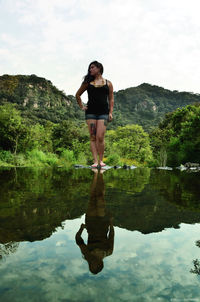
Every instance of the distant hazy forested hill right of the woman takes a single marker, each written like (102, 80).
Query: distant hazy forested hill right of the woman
(147, 104)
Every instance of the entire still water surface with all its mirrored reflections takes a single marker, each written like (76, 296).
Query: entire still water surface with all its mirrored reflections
(119, 235)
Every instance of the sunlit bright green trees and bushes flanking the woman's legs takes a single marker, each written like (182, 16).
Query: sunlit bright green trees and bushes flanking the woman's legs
(66, 143)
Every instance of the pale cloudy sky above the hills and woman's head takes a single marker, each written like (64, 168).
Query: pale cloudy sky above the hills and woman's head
(137, 41)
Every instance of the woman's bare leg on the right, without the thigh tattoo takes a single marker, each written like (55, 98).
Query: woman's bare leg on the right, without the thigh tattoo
(100, 132)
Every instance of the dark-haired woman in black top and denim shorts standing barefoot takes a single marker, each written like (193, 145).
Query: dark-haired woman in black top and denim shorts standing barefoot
(99, 108)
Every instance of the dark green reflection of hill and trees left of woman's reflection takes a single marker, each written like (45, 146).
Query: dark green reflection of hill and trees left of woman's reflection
(34, 203)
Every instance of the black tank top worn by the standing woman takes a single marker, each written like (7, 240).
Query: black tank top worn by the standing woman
(97, 99)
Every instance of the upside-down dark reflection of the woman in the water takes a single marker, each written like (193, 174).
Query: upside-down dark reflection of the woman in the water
(99, 226)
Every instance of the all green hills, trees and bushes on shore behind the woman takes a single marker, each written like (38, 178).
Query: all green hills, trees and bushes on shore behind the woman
(41, 126)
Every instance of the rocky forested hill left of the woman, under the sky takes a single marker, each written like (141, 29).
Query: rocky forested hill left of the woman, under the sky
(38, 99)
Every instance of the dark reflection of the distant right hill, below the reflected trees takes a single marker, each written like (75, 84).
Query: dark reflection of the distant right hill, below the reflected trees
(148, 212)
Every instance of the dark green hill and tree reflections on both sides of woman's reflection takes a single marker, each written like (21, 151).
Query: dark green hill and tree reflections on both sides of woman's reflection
(35, 202)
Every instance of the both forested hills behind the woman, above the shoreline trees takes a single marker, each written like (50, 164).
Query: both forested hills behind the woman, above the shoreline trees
(39, 100)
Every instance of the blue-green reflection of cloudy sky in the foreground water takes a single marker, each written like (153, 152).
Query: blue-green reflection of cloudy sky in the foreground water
(153, 267)
